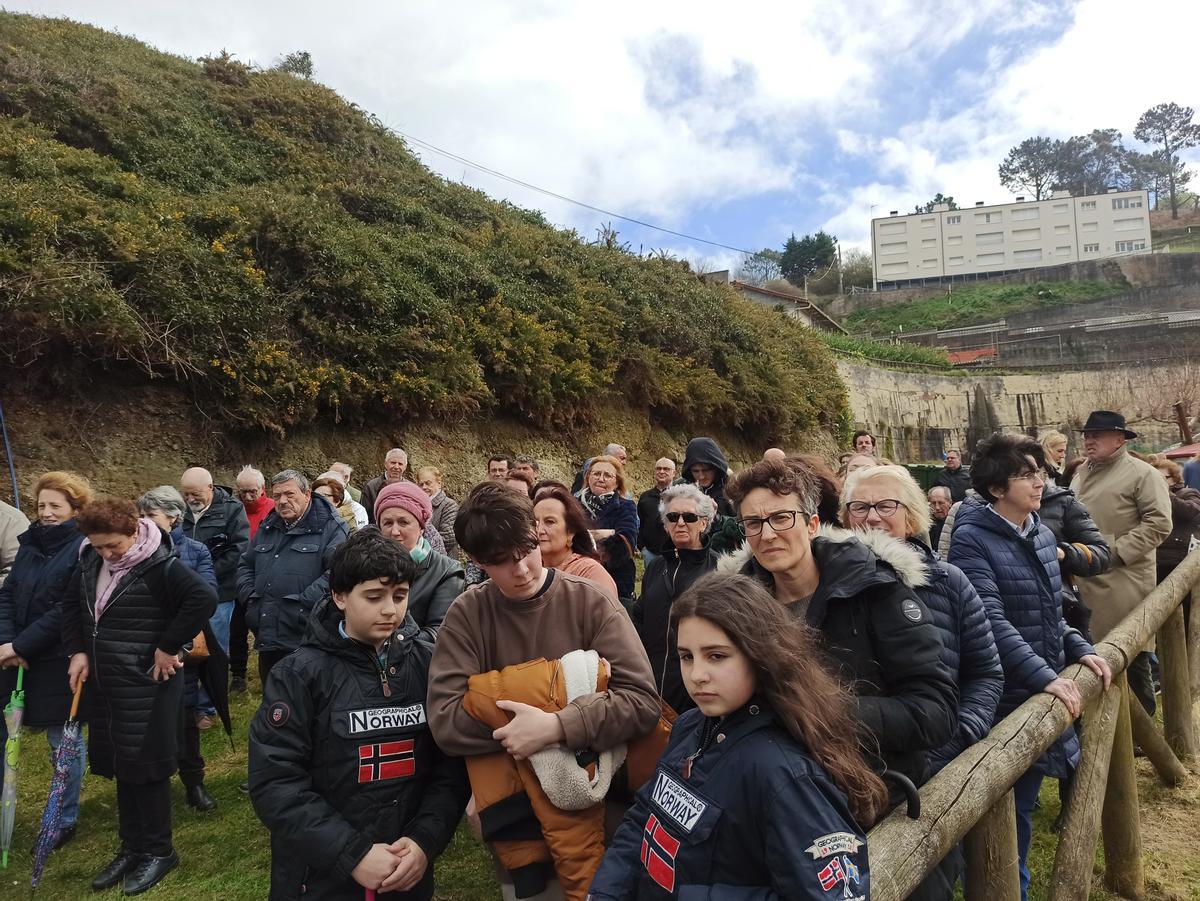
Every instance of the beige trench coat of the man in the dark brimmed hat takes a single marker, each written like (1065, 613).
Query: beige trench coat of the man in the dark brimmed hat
(1130, 502)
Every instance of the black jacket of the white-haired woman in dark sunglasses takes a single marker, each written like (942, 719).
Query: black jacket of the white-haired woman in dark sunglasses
(665, 580)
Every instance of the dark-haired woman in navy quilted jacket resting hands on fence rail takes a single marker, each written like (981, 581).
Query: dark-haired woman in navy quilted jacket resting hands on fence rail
(1012, 560)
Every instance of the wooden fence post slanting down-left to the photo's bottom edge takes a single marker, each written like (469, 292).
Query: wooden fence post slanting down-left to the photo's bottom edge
(1077, 849)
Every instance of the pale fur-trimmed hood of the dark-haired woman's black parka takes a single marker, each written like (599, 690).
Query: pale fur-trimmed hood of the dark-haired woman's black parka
(849, 562)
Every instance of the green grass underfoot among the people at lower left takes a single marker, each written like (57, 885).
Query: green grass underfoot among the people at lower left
(225, 855)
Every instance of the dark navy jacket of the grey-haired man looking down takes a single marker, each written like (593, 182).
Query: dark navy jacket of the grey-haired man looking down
(284, 574)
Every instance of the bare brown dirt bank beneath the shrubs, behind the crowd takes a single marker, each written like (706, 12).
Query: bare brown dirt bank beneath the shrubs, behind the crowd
(130, 440)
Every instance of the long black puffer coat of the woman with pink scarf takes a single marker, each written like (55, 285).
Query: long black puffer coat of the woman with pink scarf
(134, 720)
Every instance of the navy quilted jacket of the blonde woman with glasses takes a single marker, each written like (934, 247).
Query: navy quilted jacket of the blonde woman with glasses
(969, 650)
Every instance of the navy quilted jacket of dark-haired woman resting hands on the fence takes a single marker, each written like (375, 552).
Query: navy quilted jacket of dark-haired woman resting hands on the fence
(1021, 585)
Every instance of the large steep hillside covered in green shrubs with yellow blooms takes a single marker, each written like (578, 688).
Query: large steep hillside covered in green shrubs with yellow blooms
(274, 248)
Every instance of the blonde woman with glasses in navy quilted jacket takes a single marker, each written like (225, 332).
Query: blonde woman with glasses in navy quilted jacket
(886, 504)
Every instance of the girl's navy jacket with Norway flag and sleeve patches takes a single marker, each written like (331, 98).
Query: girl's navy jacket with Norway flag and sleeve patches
(757, 819)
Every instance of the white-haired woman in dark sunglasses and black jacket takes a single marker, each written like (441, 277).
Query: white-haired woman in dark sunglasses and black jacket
(687, 515)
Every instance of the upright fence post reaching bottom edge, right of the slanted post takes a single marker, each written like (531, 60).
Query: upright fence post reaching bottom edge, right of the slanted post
(1123, 832)
